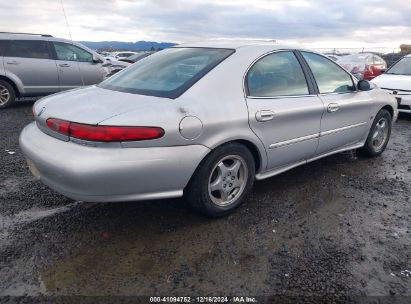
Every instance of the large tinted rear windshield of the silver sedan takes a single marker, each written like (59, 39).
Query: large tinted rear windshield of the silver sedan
(168, 73)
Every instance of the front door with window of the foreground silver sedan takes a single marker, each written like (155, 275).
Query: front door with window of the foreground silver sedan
(347, 111)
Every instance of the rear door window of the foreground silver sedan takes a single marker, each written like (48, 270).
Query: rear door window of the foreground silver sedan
(277, 74)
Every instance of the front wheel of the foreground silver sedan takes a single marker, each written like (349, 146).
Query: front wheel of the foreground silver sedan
(379, 135)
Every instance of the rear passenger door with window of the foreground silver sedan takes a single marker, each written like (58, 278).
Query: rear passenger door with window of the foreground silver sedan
(284, 111)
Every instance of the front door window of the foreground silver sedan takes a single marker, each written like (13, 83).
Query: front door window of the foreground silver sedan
(330, 77)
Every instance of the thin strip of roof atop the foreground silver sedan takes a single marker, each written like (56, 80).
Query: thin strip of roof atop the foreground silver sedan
(235, 44)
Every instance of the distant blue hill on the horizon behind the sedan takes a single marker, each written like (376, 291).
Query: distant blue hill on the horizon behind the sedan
(130, 46)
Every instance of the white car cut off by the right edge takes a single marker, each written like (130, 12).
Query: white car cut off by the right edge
(397, 81)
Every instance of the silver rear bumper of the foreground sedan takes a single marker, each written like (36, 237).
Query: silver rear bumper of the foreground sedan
(103, 174)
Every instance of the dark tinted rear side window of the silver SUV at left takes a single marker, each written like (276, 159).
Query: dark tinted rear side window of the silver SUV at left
(29, 49)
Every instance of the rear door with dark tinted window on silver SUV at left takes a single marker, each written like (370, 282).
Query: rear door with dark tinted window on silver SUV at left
(30, 64)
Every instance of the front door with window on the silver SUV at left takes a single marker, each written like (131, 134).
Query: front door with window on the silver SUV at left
(75, 66)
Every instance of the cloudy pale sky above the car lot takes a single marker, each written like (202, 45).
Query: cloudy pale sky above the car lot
(312, 23)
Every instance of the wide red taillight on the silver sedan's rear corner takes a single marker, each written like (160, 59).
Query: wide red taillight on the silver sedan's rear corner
(103, 133)
